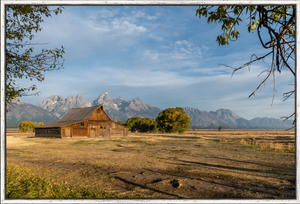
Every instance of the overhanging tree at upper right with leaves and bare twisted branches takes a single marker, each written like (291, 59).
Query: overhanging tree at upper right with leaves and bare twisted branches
(276, 22)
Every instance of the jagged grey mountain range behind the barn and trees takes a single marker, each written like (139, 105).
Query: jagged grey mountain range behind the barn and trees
(54, 107)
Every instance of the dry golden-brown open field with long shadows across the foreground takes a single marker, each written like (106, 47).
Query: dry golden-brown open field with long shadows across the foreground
(196, 164)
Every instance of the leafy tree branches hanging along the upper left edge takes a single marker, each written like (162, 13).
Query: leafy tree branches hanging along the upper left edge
(22, 61)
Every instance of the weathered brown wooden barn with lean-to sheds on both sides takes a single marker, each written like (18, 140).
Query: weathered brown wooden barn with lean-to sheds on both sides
(87, 122)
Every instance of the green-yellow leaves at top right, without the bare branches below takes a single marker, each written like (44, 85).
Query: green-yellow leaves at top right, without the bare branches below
(230, 17)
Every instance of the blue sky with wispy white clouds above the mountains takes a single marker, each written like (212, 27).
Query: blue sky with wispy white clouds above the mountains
(164, 55)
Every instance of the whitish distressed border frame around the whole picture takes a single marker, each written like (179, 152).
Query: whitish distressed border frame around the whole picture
(142, 2)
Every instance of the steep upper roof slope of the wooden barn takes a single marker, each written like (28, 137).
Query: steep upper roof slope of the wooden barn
(79, 114)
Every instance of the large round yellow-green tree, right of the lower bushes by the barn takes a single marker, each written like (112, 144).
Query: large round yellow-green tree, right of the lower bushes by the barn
(173, 120)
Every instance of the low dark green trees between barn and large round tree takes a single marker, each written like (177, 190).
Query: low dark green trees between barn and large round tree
(141, 124)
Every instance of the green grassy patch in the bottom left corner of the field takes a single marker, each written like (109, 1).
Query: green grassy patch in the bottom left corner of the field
(23, 184)
